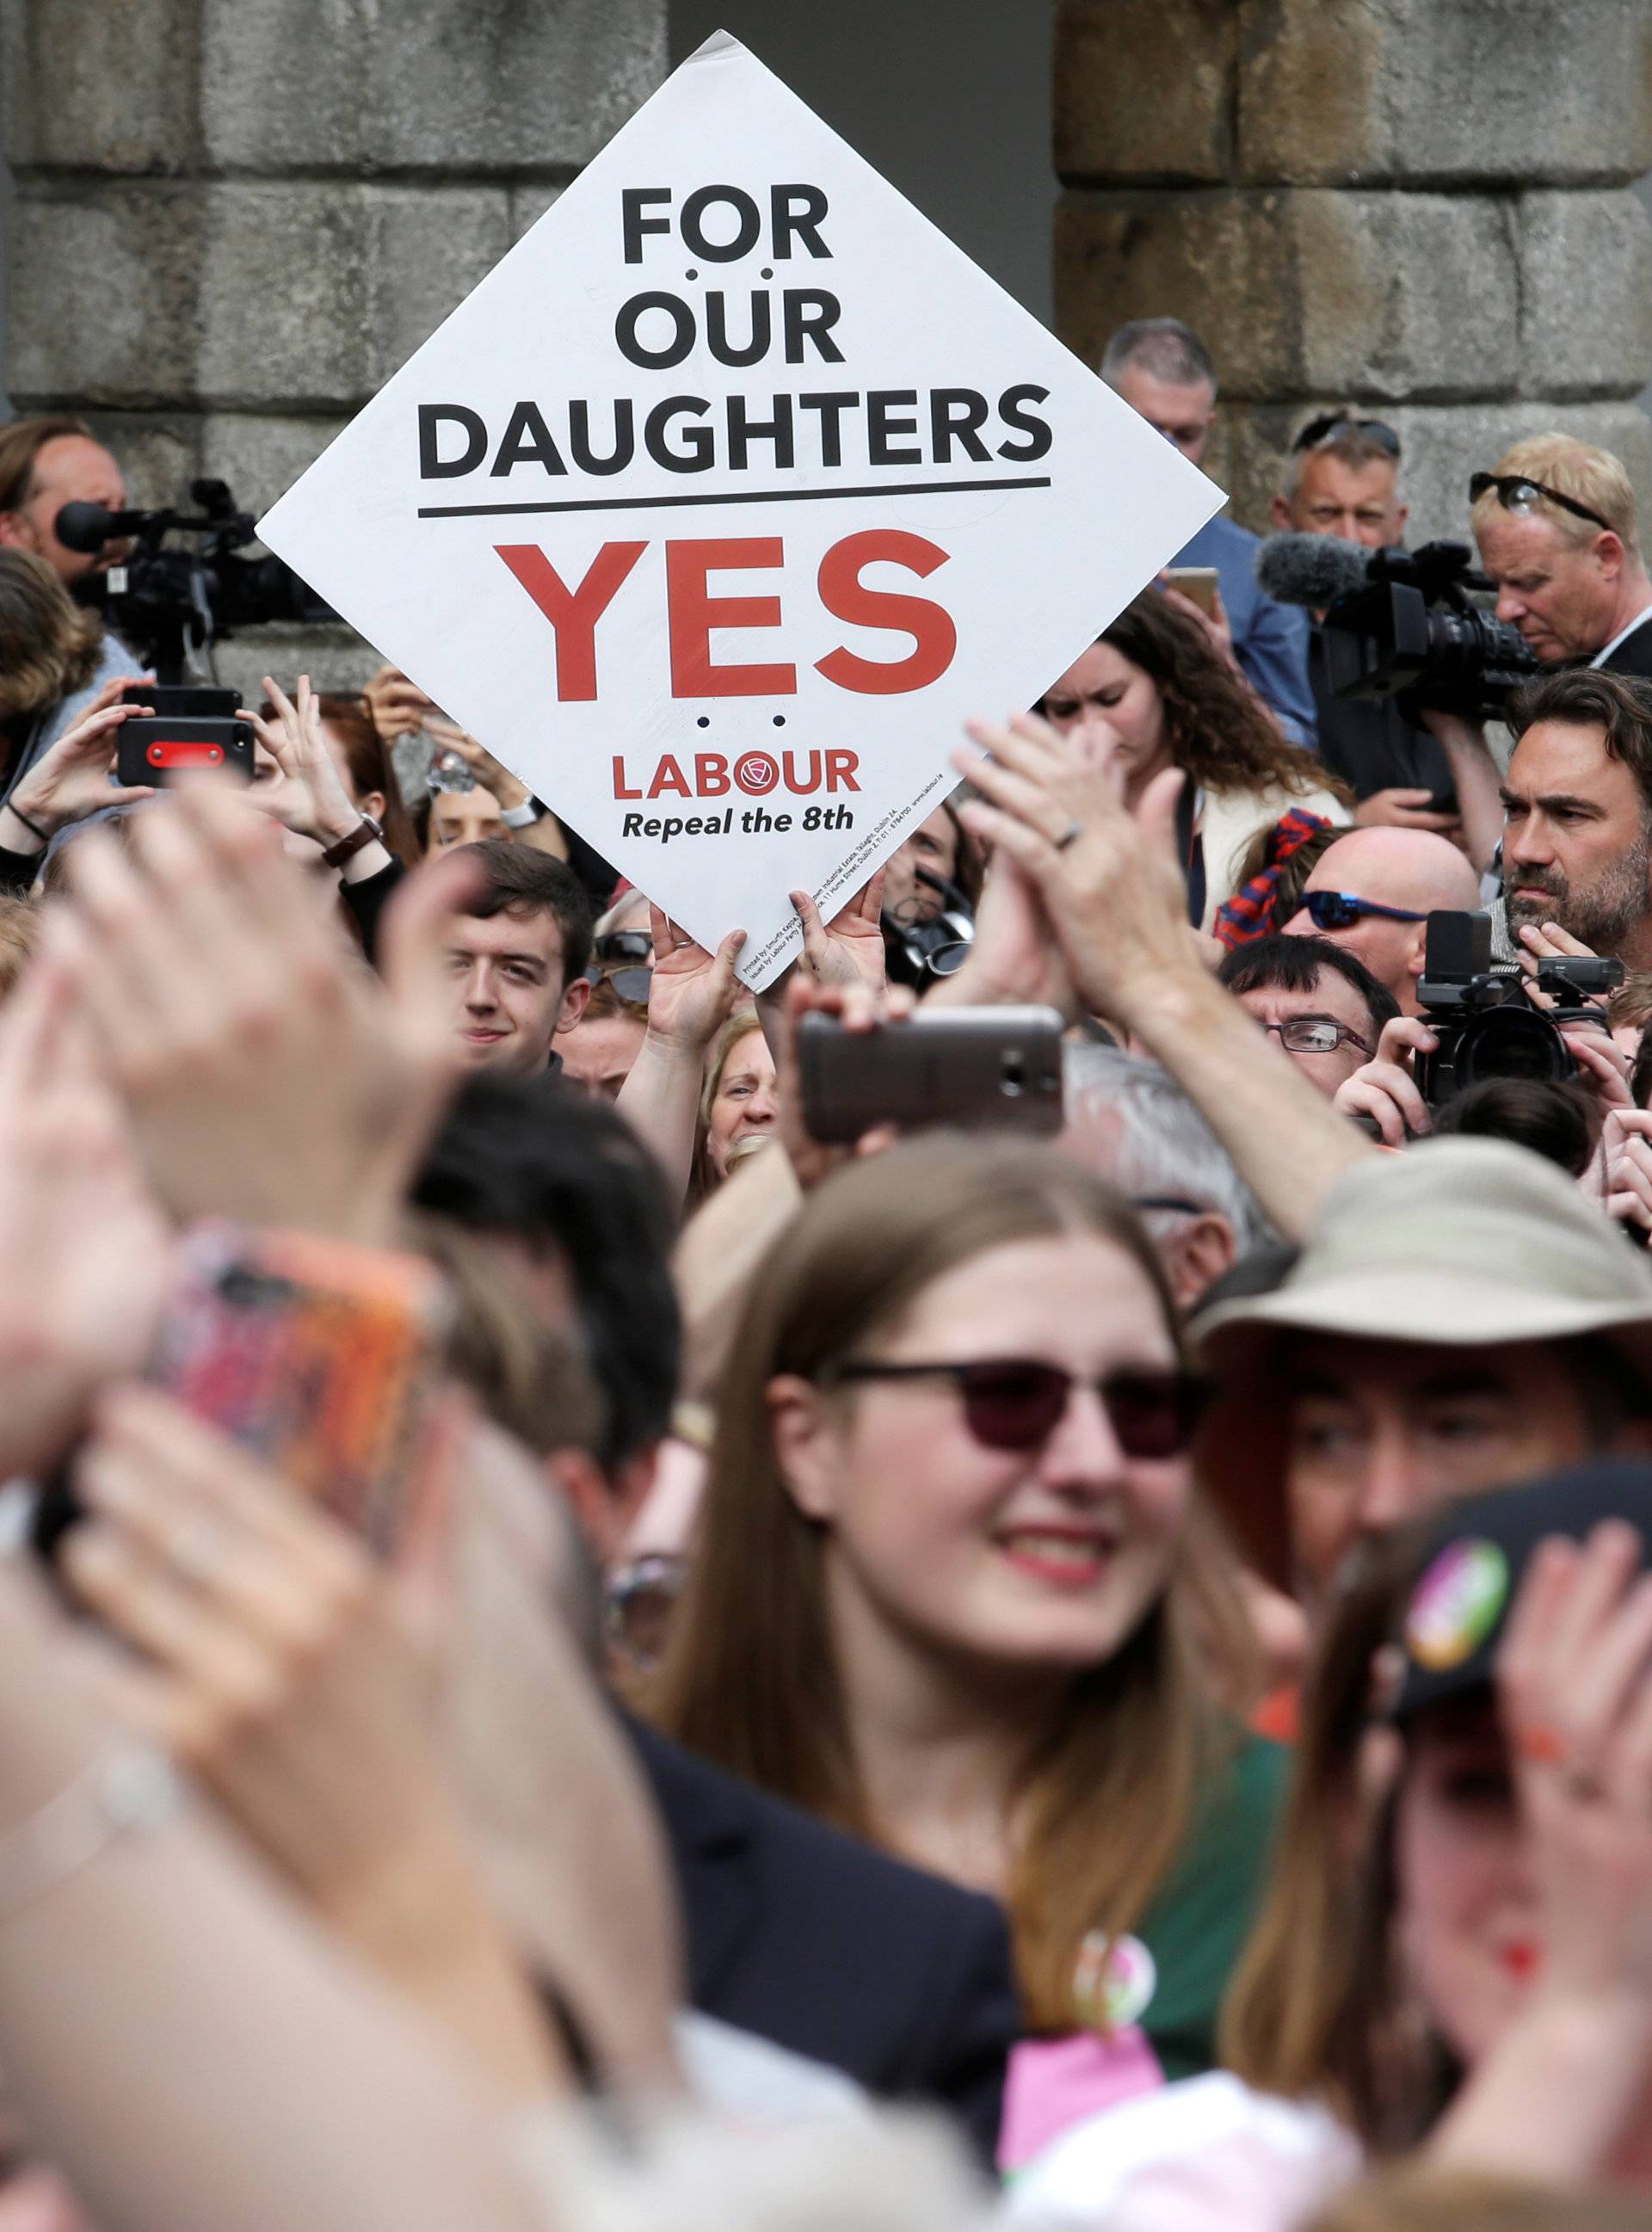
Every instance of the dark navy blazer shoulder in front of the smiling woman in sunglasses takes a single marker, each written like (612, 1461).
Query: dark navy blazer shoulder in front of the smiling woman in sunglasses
(834, 1950)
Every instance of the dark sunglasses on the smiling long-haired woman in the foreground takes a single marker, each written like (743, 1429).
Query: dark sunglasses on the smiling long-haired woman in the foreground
(1017, 1403)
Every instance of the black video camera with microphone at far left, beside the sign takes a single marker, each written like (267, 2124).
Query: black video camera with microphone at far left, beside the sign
(175, 604)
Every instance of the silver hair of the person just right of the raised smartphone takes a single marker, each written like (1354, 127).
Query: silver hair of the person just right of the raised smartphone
(1160, 1142)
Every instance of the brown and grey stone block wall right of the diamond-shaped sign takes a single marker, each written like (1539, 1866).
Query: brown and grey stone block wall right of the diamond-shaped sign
(1419, 206)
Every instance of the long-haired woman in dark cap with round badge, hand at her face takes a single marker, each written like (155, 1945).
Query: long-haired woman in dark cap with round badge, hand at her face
(1457, 1950)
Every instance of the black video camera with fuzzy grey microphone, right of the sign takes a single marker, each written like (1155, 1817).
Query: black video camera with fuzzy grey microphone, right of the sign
(1403, 624)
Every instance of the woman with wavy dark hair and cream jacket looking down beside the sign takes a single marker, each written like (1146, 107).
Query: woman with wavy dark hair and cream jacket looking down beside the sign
(1151, 693)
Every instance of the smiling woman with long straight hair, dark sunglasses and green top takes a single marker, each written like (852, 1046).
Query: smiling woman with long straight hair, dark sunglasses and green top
(952, 1593)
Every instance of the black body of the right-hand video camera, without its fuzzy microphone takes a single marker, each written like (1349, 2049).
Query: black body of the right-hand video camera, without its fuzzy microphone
(1416, 635)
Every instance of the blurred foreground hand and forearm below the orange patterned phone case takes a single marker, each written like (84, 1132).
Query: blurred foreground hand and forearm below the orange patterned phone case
(300, 1682)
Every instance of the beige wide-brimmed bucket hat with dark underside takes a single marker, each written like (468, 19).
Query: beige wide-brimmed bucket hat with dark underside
(1459, 1242)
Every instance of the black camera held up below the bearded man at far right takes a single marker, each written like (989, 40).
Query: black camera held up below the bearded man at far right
(1483, 1021)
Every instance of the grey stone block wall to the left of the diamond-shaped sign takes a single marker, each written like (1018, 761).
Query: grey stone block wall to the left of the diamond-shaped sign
(238, 218)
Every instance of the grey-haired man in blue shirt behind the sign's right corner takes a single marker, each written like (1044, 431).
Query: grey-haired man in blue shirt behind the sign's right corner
(1164, 372)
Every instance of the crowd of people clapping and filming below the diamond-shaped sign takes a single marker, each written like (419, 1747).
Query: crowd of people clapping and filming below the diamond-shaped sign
(586, 1655)
